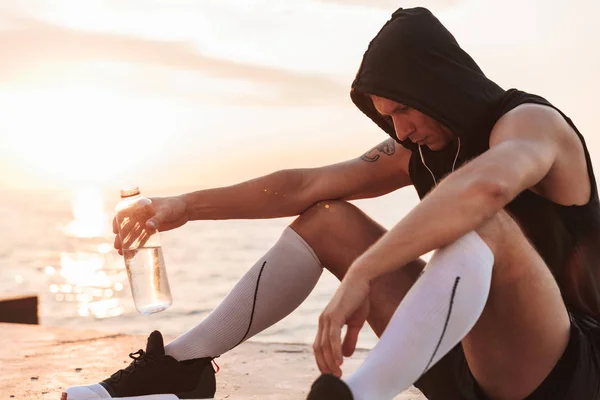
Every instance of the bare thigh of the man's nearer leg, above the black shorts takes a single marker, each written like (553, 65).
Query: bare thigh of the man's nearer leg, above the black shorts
(524, 328)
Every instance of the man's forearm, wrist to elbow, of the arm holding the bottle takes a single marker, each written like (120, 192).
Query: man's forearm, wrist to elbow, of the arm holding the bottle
(280, 194)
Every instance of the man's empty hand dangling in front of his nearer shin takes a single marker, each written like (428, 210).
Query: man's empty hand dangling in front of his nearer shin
(348, 306)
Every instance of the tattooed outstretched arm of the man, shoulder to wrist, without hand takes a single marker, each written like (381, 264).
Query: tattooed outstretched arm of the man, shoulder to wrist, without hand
(289, 192)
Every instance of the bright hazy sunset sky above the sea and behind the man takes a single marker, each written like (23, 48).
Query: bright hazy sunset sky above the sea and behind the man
(199, 93)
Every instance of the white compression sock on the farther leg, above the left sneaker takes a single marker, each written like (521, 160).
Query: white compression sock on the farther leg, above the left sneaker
(274, 287)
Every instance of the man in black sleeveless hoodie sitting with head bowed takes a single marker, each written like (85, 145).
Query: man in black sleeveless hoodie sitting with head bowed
(507, 307)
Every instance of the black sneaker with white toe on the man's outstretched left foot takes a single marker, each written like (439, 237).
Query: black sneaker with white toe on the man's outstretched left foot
(153, 376)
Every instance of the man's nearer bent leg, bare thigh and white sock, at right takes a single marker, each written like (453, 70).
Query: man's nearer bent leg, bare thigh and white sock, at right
(518, 335)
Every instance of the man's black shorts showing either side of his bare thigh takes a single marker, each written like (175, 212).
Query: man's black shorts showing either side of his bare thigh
(576, 376)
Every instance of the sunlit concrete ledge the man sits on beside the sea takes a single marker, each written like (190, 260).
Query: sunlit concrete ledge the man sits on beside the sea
(38, 362)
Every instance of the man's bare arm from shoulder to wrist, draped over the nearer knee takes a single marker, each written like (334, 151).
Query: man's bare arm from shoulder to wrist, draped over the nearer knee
(523, 148)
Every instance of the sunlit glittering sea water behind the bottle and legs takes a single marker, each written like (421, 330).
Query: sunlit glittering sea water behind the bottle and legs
(58, 246)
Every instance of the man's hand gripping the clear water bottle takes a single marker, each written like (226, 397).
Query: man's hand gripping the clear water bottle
(165, 213)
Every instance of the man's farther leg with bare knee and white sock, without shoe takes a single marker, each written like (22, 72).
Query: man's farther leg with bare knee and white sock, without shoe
(335, 233)
